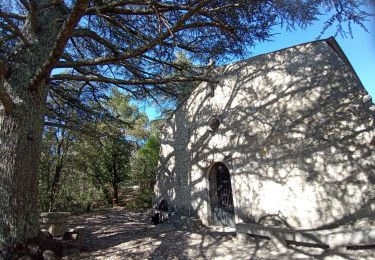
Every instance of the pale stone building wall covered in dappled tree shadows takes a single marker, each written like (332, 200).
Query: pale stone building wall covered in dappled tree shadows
(295, 134)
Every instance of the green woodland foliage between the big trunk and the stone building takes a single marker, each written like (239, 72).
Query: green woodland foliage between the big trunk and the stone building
(80, 171)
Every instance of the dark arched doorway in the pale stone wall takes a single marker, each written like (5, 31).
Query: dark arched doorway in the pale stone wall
(221, 199)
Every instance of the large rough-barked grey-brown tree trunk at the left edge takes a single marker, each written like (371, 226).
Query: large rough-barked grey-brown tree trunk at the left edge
(21, 130)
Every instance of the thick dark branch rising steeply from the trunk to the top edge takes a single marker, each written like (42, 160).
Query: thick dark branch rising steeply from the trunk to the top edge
(60, 43)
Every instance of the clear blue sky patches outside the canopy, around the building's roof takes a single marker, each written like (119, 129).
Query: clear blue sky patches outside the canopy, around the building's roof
(360, 49)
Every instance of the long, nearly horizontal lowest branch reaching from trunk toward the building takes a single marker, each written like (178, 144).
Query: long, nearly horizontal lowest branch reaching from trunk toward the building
(146, 81)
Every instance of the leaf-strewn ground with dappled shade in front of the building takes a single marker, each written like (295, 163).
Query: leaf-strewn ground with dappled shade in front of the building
(121, 234)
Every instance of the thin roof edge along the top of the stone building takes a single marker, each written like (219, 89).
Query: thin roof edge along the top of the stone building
(331, 41)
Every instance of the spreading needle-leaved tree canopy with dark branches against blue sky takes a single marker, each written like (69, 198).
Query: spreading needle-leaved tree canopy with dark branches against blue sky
(132, 45)
